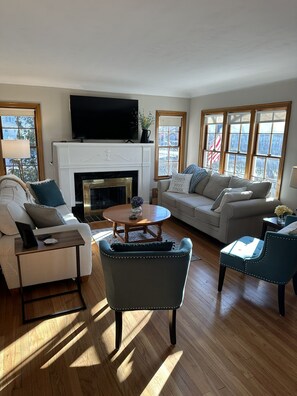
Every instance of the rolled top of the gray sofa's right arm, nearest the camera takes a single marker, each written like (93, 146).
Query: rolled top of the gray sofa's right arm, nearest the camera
(249, 208)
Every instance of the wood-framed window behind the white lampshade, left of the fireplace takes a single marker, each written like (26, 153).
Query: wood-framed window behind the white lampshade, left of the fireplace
(20, 121)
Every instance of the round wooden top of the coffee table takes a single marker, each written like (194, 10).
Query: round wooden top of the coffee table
(151, 214)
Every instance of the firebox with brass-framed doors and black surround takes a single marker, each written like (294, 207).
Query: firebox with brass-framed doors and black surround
(96, 191)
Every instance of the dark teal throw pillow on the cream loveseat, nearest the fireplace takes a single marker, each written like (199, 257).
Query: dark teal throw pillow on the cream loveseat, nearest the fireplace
(47, 193)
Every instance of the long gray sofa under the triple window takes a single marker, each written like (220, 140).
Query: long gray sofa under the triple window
(239, 216)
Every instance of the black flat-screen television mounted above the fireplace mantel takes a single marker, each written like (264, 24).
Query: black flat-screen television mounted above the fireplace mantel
(96, 118)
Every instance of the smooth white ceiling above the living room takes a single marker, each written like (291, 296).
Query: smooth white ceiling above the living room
(181, 48)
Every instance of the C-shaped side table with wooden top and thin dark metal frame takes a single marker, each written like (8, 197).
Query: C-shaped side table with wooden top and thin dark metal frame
(65, 239)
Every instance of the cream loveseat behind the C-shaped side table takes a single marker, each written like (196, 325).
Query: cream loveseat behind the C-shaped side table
(42, 267)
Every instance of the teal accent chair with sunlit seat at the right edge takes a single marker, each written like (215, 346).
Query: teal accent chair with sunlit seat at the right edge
(273, 260)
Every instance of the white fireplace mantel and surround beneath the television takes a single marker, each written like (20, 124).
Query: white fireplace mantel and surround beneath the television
(71, 157)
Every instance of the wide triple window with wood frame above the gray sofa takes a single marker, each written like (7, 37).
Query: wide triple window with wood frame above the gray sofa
(246, 141)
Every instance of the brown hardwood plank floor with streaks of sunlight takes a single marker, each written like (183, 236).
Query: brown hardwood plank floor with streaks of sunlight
(232, 343)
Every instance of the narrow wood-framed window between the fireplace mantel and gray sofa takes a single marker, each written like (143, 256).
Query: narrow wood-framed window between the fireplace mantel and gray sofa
(170, 143)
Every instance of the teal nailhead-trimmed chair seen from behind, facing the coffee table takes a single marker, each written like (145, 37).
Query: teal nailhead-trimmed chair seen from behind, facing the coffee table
(139, 279)
